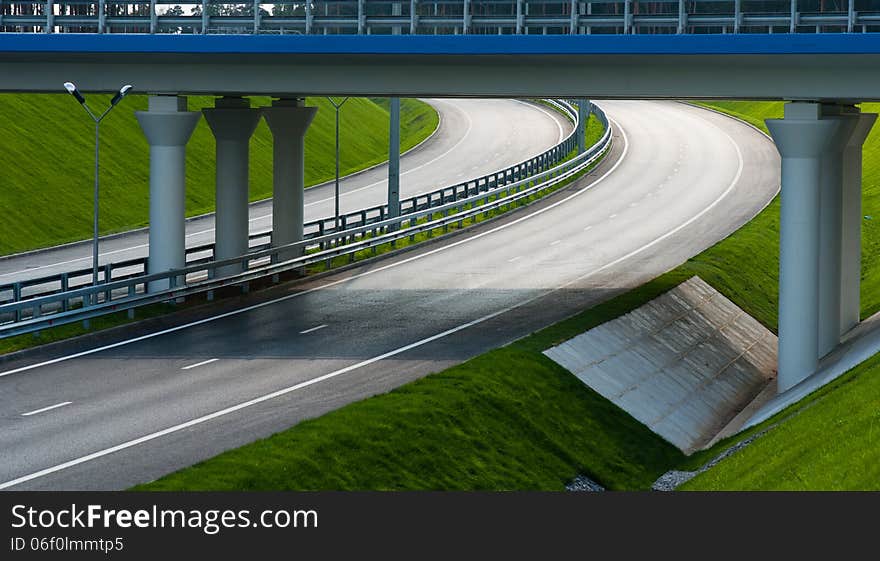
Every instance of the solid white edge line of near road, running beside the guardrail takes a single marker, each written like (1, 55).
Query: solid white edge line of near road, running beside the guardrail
(337, 282)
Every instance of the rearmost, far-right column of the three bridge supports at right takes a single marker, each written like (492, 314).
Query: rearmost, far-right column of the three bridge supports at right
(851, 236)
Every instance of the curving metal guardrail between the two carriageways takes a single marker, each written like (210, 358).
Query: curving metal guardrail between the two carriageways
(452, 204)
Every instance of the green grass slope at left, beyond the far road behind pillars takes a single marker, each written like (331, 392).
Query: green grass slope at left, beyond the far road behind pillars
(48, 157)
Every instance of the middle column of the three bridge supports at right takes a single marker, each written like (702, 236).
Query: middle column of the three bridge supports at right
(831, 226)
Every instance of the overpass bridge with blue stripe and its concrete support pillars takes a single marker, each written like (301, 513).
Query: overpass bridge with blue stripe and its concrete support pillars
(822, 74)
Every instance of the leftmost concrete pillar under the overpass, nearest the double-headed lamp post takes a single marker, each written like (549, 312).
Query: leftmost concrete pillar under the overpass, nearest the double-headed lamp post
(168, 126)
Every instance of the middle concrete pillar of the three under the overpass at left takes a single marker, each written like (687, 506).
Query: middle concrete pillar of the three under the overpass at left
(233, 122)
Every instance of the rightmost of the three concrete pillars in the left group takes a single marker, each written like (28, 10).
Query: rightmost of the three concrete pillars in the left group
(288, 119)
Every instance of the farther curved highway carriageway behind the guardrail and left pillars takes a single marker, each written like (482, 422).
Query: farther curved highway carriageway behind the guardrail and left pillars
(475, 137)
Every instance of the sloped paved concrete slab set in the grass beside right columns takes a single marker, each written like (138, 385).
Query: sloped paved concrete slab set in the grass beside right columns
(689, 364)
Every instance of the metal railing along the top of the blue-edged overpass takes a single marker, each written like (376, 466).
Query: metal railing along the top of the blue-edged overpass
(318, 17)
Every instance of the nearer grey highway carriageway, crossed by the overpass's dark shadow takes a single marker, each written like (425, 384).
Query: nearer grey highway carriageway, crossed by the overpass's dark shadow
(109, 412)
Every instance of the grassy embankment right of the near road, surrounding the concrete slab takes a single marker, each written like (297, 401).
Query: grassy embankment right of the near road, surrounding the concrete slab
(512, 419)
